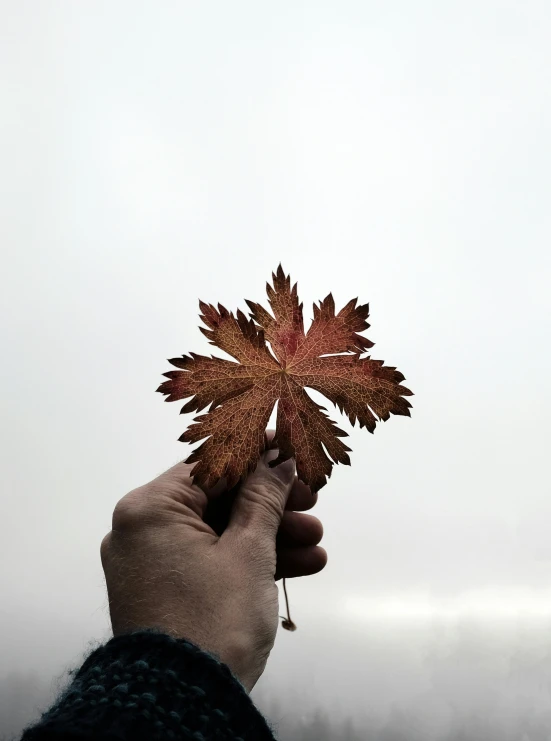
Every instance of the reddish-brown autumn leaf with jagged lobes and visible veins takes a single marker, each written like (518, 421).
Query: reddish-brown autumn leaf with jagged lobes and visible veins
(276, 361)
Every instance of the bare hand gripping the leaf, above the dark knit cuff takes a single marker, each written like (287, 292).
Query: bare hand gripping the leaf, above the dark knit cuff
(203, 565)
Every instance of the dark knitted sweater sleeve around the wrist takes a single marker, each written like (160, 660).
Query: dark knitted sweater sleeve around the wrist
(147, 685)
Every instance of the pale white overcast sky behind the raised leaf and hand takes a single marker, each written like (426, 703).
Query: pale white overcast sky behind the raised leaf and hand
(158, 153)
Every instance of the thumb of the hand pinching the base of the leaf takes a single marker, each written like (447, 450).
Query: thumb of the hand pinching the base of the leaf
(261, 500)
